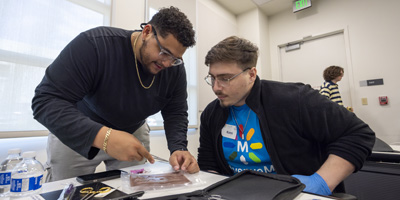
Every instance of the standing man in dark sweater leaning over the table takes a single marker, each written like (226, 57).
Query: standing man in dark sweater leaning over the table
(96, 95)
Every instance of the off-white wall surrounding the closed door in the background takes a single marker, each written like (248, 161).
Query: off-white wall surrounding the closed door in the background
(373, 30)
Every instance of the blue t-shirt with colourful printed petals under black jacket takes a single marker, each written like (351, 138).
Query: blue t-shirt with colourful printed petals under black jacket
(245, 149)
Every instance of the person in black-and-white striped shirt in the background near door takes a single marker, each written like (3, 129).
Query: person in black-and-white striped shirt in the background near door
(330, 88)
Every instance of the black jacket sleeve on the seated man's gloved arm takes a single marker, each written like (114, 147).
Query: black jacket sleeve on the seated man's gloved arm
(340, 130)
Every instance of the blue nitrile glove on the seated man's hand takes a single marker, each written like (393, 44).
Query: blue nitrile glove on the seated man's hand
(314, 184)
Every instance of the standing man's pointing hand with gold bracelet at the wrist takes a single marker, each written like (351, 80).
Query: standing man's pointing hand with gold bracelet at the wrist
(124, 146)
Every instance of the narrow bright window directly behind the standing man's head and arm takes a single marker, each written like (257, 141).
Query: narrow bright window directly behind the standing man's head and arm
(156, 121)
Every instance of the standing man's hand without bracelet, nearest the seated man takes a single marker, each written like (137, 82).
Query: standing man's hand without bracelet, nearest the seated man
(183, 160)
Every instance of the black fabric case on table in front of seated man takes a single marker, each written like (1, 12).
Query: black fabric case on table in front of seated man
(247, 185)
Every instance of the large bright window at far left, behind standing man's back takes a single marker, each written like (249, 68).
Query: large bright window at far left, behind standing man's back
(32, 35)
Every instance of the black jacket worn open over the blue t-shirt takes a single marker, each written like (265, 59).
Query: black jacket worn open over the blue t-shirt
(300, 128)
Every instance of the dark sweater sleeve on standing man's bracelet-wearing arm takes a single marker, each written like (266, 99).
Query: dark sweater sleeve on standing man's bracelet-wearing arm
(67, 80)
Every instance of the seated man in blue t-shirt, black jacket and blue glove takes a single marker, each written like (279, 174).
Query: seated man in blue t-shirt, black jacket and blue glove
(275, 127)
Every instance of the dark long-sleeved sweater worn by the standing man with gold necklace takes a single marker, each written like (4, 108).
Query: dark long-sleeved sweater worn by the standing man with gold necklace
(94, 83)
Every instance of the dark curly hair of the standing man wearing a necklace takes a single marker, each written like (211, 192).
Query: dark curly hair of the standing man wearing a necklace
(172, 20)
